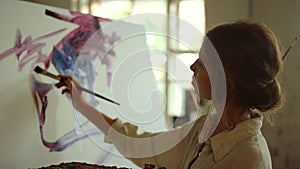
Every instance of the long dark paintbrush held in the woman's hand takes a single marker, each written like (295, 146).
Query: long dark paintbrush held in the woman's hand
(38, 69)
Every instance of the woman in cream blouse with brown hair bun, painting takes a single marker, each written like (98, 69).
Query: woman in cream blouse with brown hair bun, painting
(251, 61)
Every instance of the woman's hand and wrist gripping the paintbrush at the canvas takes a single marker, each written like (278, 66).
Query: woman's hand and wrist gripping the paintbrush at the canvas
(70, 87)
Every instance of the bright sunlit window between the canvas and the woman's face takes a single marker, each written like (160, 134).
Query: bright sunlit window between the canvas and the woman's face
(172, 51)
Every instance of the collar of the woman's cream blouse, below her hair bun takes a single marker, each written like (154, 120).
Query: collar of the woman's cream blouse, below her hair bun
(223, 142)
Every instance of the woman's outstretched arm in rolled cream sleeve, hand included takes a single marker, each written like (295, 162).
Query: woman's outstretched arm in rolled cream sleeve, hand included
(165, 149)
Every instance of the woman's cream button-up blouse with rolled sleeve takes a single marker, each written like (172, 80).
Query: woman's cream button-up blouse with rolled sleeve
(243, 147)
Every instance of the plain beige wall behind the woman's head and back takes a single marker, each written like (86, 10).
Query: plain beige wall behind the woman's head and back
(283, 18)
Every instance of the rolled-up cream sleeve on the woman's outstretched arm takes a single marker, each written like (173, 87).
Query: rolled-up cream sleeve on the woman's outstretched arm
(164, 149)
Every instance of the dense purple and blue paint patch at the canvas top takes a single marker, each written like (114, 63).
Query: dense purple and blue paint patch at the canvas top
(74, 45)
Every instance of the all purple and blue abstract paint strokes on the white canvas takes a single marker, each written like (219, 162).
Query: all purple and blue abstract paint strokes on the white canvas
(64, 56)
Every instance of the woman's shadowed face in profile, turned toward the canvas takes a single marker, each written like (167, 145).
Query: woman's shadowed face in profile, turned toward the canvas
(201, 80)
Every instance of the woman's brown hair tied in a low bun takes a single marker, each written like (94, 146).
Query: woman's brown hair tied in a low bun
(251, 59)
